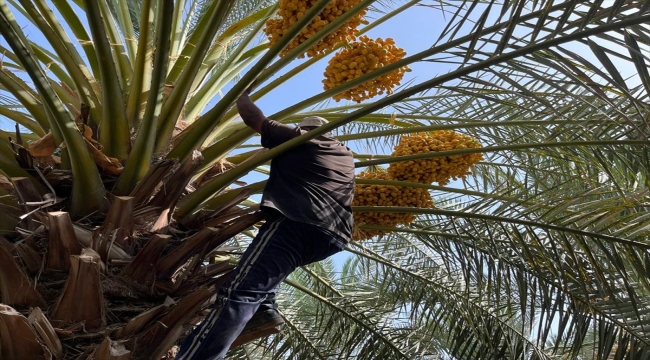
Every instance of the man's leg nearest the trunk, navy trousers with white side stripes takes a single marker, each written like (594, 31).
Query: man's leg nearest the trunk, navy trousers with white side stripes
(269, 259)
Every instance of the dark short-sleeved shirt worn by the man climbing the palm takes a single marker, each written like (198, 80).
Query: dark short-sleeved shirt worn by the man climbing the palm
(311, 183)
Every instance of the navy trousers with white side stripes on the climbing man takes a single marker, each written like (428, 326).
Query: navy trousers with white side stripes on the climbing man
(279, 248)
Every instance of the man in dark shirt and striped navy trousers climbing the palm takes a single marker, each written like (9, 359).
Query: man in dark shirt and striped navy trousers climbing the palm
(307, 202)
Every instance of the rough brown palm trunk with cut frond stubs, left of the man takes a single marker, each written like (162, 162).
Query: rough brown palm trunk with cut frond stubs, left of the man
(126, 284)
